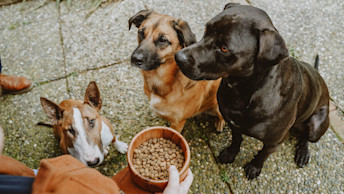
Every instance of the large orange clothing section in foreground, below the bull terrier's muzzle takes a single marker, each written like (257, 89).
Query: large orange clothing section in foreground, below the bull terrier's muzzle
(66, 174)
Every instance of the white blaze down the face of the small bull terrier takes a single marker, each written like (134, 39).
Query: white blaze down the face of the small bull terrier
(84, 149)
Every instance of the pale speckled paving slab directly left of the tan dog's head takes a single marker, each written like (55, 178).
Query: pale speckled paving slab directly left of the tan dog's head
(102, 38)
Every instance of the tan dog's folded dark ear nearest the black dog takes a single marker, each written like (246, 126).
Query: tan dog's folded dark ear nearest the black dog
(185, 36)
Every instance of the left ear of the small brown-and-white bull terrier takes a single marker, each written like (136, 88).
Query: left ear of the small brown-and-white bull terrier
(53, 111)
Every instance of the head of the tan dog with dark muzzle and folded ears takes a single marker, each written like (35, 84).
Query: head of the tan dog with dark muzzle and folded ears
(159, 37)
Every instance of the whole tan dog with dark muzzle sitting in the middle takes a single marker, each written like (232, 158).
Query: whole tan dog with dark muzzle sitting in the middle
(172, 95)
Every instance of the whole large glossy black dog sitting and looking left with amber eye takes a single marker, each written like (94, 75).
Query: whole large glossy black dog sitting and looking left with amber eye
(264, 93)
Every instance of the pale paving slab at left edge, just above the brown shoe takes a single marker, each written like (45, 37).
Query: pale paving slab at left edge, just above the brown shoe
(33, 50)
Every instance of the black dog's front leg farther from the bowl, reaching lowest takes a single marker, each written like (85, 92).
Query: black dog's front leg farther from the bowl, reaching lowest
(253, 168)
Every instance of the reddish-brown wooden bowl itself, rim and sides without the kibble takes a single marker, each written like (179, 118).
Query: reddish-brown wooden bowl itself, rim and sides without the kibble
(157, 132)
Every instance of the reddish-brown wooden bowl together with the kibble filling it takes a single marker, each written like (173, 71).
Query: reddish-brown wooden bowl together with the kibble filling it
(150, 154)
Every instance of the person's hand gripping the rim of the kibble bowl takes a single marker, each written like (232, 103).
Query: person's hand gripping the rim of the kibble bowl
(173, 185)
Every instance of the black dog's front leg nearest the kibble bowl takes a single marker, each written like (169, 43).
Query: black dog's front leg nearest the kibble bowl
(228, 154)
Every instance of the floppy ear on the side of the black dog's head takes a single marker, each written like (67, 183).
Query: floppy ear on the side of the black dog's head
(272, 49)
